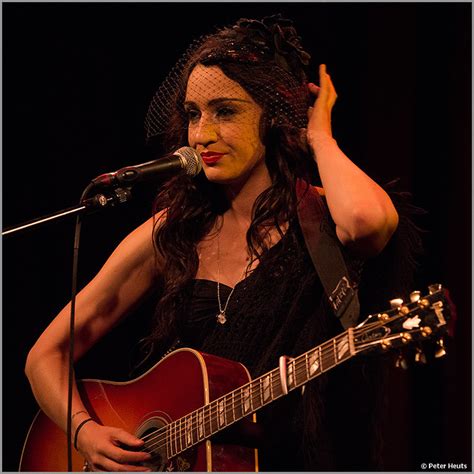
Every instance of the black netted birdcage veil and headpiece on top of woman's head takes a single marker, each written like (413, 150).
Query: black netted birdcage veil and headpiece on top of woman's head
(264, 57)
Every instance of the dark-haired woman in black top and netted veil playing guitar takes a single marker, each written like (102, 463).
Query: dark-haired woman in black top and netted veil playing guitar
(226, 247)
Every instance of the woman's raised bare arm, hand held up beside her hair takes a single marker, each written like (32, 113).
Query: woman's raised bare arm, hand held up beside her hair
(363, 212)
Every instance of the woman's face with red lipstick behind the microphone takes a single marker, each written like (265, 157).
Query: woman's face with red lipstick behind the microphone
(223, 125)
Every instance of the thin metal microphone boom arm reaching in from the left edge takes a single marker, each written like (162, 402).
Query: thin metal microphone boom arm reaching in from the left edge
(88, 206)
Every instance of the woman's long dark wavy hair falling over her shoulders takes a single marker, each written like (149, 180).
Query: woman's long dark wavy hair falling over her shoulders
(266, 59)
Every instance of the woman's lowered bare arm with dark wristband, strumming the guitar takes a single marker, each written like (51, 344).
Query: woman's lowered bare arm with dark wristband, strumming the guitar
(125, 278)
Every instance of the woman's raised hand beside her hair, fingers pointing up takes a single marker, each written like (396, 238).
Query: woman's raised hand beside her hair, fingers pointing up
(319, 116)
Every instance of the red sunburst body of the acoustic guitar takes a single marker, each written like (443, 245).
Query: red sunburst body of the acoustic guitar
(158, 407)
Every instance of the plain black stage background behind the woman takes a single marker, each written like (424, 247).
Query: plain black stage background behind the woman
(77, 81)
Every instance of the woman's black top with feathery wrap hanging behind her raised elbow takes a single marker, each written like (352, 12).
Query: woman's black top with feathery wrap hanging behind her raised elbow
(281, 309)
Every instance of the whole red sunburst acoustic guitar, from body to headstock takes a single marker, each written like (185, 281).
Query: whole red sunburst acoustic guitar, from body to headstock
(188, 397)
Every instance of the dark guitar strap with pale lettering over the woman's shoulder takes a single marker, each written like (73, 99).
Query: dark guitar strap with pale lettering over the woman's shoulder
(324, 249)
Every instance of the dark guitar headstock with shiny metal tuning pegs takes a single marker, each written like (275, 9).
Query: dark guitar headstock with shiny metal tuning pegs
(424, 317)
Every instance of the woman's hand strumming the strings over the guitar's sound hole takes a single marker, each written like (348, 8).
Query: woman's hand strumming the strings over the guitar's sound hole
(111, 449)
